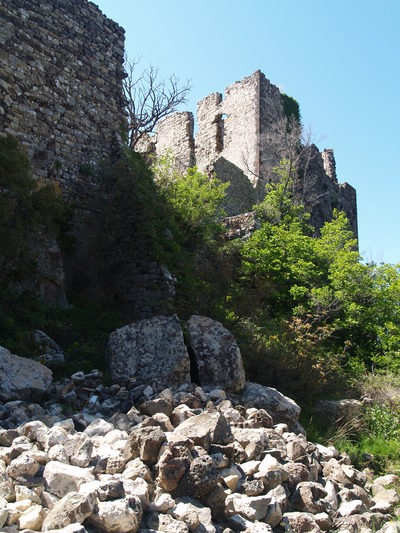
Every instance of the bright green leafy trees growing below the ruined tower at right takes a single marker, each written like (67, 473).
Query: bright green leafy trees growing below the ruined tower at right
(309, 306)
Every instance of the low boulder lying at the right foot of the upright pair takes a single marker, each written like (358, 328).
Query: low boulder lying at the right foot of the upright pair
(280, 407)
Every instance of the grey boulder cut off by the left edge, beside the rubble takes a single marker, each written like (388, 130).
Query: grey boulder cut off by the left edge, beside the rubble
(21, 377)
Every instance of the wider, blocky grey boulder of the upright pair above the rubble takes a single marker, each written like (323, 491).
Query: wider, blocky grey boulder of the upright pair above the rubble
(152, 351)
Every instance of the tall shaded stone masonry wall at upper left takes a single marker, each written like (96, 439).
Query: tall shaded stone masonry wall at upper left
(60, 84)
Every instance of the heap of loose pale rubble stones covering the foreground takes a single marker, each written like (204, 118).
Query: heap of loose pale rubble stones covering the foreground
(128, 458)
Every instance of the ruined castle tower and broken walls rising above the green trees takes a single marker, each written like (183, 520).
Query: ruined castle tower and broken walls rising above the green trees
(237, 139)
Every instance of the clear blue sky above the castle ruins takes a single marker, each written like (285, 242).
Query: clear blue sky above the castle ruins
(339, 59)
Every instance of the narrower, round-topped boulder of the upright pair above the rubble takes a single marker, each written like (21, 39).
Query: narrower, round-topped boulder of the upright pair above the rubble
(218, 358)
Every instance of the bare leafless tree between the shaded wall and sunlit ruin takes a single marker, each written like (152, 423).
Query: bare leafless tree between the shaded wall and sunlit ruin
(149, 99)
